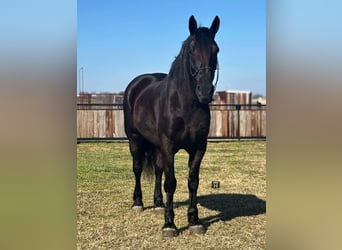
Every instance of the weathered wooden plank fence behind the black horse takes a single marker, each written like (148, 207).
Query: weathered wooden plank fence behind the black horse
(228, 121)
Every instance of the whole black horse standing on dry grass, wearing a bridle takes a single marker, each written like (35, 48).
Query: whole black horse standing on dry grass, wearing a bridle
(168, 112)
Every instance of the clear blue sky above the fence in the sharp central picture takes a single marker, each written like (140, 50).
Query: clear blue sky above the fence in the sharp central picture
(118, 40)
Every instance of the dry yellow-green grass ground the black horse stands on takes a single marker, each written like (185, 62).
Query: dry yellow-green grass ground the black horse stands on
(234, 214)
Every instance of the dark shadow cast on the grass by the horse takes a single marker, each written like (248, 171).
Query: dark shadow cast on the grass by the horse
(229, 207)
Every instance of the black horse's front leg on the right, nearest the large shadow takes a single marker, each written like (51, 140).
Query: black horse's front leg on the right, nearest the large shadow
(193, 181)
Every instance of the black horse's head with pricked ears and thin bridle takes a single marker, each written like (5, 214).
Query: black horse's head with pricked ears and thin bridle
(203, 58)
